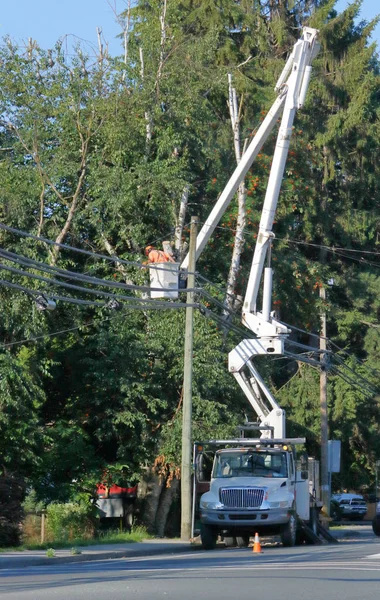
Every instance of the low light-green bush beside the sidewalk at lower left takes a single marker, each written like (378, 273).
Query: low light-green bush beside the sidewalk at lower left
(70, 521)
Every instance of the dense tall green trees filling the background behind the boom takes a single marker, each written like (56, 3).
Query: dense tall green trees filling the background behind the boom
(99, 154)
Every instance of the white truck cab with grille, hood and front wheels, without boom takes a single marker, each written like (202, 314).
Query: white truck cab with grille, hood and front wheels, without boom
(254, 487)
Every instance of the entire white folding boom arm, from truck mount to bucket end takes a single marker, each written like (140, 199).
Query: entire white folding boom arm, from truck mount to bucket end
(291, 87)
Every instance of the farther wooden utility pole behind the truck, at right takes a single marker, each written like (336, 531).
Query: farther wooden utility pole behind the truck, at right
(325, 484)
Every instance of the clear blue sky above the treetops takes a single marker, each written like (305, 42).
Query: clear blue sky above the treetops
(48, 20)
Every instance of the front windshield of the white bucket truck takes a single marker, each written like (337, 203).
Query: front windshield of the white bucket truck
(250, 464)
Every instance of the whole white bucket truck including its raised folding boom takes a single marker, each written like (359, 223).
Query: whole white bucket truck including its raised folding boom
(256, 485)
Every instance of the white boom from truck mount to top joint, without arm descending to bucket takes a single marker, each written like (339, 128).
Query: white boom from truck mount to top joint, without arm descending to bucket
(271, 333)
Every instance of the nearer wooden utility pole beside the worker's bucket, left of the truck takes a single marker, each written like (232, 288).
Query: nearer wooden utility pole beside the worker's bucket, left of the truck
(187, 391)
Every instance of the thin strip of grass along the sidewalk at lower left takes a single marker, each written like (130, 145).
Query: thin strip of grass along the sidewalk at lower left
(138, 534)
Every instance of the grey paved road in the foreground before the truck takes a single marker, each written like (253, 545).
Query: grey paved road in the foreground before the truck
(348, 571)
